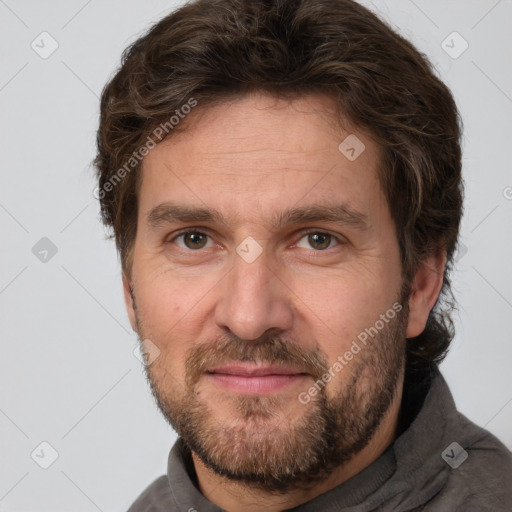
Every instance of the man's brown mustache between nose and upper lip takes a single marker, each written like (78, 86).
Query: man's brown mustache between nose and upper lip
(268, 348)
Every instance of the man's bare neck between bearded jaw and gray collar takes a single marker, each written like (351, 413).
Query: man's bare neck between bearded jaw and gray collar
(239, 497)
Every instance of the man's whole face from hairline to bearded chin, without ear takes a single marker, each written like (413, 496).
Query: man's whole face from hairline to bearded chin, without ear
(266, 271)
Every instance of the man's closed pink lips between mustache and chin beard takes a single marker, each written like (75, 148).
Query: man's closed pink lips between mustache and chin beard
(254, 379)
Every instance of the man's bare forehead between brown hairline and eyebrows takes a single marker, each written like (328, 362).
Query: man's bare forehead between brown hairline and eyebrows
(258, 154)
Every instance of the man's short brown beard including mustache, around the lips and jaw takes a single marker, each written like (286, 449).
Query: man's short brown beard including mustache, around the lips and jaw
(256, 444)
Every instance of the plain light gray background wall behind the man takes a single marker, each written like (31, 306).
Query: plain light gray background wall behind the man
(68, 375)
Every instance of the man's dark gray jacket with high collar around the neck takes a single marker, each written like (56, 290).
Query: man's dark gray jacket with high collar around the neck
(442, 462)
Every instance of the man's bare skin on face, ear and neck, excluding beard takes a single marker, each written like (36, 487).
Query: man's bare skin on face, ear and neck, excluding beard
(250, 159)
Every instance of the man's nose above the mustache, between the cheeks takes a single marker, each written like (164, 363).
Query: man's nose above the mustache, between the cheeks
(252, 299)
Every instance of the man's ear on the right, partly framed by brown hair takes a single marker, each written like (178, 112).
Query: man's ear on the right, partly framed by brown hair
(425, 290)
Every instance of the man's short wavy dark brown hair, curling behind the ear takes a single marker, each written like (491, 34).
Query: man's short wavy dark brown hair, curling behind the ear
(212, 50)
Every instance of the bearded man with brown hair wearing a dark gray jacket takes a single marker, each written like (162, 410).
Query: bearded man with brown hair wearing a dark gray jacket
(283, 179)
